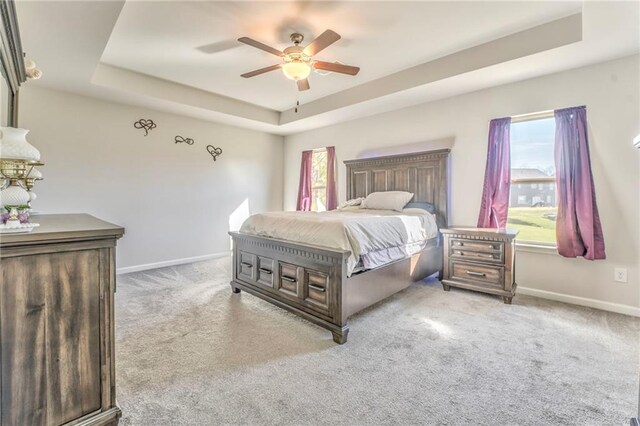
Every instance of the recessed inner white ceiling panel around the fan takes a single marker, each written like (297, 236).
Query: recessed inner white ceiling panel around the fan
(162, 40)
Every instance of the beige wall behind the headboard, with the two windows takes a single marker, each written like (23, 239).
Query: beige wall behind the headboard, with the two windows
(610, 92)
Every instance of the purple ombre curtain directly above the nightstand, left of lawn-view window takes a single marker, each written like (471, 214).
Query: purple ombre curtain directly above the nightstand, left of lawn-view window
(497, 176)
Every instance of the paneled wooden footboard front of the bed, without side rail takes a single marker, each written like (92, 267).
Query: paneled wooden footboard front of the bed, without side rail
(303, 279)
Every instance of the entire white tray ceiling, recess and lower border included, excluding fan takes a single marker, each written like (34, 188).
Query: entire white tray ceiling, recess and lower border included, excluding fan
(182, 56)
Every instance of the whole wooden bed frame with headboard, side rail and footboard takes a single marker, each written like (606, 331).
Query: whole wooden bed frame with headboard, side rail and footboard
(311, 281)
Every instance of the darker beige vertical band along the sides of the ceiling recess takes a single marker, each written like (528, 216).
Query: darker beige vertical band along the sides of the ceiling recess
(551, 35)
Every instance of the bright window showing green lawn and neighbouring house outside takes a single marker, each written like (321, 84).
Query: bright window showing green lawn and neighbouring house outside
(532, 162)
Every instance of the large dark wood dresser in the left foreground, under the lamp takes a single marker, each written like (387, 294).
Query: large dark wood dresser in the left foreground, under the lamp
(57, 289)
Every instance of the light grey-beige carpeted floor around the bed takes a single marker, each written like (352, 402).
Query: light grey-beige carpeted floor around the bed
(189, 352)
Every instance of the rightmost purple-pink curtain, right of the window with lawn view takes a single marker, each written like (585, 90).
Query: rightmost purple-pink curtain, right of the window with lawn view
(578, 228)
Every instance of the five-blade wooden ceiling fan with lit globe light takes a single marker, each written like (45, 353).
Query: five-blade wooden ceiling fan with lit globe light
(297, 61)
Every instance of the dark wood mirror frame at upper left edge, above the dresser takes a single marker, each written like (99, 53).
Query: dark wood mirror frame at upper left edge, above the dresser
(11, 64)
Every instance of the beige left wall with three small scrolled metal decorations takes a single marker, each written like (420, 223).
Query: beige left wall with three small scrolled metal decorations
(174, 201)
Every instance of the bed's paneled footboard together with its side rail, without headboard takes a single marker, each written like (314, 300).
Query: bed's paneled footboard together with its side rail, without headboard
(311, 282)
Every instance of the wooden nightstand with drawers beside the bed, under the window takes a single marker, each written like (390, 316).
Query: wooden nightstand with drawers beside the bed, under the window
(480, 259)
